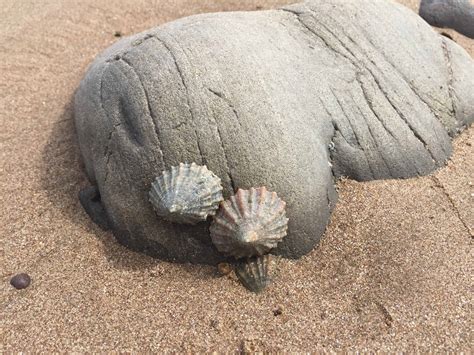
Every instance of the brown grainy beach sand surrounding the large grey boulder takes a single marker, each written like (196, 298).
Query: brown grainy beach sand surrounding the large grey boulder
(393, 272)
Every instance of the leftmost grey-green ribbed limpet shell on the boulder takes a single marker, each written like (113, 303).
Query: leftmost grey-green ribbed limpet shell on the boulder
(187, 193)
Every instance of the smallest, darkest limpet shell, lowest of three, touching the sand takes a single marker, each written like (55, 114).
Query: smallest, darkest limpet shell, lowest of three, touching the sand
(255, 273)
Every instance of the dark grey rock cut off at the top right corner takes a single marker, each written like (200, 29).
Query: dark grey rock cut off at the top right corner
(455, 14)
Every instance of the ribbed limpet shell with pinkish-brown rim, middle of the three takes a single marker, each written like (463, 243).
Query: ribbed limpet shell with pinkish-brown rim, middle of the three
(251, 223)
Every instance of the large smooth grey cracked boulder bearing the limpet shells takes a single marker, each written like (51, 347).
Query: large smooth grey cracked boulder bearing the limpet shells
(288, 99)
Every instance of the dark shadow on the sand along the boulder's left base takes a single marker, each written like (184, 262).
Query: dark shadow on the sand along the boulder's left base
(63, 177)
